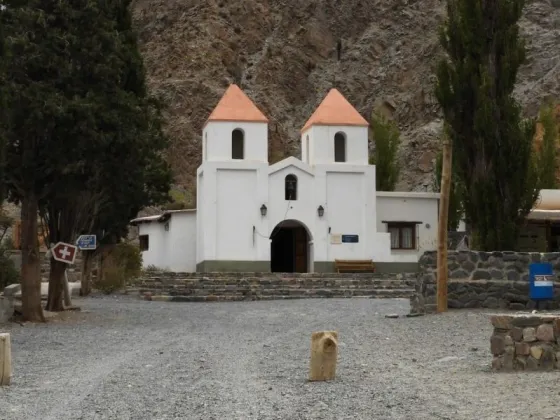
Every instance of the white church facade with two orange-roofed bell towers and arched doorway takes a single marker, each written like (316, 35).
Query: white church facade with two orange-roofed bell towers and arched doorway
(293, 215)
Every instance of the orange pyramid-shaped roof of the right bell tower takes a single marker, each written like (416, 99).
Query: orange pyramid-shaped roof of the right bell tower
(335, 110)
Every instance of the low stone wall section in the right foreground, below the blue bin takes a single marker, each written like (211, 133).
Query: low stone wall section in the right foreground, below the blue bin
(525, 342)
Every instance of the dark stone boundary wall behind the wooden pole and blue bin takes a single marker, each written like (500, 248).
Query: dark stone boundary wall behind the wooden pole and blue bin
(496, 280)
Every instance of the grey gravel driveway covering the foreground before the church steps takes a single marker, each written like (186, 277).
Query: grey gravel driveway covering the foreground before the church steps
(123, 358)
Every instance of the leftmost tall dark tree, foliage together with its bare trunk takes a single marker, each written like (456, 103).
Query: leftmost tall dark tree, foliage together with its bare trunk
(36, 65)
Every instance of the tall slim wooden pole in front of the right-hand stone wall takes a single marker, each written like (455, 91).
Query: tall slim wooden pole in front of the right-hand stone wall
(442, 272)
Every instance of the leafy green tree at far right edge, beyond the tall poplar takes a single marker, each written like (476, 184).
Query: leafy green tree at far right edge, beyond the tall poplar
(547, 155)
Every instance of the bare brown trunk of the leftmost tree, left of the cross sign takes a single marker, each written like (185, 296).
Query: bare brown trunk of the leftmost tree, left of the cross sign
(30, 262)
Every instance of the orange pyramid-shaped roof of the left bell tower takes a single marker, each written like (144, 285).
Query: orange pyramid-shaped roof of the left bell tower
(236, 106)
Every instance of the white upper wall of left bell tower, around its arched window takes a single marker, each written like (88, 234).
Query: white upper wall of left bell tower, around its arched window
(216, 141)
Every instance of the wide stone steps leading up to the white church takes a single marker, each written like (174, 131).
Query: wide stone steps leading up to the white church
(202, 287)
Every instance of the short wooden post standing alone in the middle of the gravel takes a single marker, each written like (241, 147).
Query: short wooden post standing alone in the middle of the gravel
(324, 352)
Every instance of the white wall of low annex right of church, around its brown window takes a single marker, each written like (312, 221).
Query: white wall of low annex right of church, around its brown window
(410, 207)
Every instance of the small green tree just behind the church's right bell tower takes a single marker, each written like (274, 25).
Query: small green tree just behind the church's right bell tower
(386, 136)
